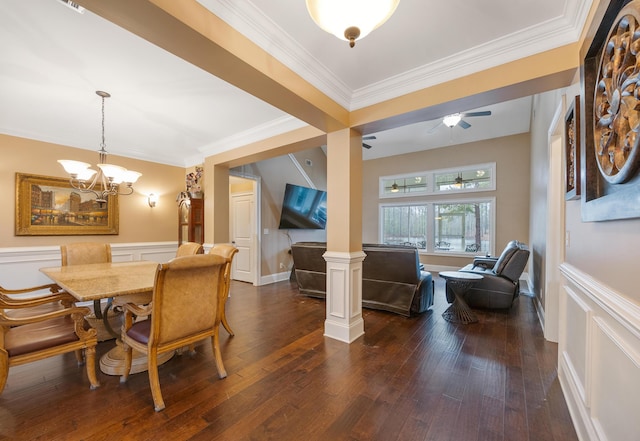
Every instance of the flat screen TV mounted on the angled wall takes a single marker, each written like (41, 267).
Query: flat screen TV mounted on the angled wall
(303, 208)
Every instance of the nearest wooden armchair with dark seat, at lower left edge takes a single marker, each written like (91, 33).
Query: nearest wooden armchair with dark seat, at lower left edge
(30, 336)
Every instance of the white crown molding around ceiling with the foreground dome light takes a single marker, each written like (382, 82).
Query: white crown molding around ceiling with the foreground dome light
(247, 19)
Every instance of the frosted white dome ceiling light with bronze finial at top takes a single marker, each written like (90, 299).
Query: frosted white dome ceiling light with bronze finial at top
(350, 19)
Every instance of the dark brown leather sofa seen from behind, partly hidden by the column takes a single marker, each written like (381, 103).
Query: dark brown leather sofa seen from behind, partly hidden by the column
(392, 278)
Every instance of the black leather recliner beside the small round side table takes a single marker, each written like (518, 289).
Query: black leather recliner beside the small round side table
(500, 285)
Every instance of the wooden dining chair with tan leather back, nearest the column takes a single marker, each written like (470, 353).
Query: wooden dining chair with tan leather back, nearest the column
(183, 311)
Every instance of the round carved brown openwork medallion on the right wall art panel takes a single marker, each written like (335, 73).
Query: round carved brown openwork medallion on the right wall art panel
(617, 99)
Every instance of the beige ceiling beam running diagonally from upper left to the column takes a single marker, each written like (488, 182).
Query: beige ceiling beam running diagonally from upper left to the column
(190, 31)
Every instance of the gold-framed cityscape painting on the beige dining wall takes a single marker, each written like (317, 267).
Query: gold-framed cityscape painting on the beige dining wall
(47, 206)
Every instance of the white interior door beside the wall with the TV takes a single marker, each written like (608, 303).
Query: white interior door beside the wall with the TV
(242, 226)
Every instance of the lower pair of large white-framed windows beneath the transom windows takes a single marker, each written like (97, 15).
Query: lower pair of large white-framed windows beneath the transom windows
(454, 227)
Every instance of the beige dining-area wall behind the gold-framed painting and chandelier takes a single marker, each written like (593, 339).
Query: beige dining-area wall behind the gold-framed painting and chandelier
(138, 221)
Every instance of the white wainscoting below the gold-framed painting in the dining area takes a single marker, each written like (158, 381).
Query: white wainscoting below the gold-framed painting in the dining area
(20, 267)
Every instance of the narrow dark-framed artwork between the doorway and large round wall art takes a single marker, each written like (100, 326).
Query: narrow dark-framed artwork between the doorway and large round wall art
(572, 150)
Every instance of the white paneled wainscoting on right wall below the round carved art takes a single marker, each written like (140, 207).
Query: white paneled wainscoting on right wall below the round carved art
(599, 358)
